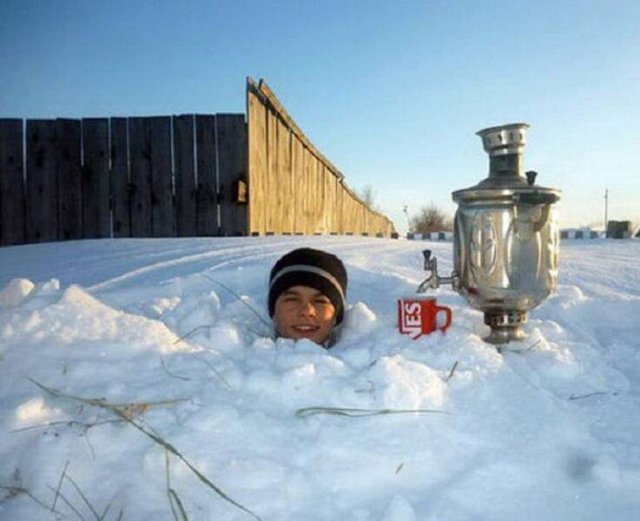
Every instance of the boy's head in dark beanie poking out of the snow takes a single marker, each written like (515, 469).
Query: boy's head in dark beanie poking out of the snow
(307, 296)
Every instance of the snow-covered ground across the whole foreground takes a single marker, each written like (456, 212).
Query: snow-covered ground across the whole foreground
(133, 381)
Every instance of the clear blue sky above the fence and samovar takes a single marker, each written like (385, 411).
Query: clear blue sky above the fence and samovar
(392, 92)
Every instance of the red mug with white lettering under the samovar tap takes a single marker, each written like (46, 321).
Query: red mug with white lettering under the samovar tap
(418, 316)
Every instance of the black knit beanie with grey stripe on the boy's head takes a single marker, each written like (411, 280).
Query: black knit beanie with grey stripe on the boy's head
(313, 268)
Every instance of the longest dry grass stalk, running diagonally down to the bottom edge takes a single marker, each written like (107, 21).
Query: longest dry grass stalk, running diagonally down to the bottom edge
(117, 410)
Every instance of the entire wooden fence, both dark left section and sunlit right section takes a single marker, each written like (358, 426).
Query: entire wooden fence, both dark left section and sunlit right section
(173, 176)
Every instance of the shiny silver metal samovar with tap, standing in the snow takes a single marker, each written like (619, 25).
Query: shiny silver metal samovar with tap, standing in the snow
(506, 239)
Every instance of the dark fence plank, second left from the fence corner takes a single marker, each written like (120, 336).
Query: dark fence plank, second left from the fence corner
(206, 160)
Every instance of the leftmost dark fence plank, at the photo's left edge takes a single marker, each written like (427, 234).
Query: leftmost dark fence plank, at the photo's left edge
(12, 189)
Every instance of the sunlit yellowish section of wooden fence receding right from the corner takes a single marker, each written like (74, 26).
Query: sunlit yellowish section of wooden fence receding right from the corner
(293, 188)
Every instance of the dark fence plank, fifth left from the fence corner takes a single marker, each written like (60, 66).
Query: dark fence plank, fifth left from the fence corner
(140, 175)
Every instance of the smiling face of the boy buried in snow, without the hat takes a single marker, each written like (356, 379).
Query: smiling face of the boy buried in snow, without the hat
(304, 312)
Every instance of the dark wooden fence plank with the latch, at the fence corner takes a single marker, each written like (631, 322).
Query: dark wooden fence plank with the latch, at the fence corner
(232, 169)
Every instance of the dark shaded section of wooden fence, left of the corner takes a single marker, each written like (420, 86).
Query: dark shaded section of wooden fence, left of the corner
(122, 177)
